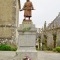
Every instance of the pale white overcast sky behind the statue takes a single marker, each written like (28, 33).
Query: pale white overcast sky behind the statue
(45, 10)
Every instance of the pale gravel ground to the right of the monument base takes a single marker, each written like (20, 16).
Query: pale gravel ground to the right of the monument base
(45, 55)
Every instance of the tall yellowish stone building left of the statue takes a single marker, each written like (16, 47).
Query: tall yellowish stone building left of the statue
(9, 14)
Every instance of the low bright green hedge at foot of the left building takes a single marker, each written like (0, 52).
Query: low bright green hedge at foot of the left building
(6, 47)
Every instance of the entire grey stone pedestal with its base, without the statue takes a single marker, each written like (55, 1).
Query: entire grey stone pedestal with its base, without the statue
(27, 41)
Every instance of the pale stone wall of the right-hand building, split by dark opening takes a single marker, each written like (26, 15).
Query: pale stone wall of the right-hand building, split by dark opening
(50, 40)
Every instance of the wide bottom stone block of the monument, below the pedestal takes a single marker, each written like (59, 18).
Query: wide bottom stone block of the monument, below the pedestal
(30, 54)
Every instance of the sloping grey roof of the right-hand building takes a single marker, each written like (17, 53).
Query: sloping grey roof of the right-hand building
(55, 23)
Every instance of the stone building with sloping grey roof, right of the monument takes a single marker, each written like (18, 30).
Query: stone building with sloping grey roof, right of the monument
(52, 33)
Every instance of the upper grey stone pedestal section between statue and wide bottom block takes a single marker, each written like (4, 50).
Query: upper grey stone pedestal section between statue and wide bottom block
(27, 35)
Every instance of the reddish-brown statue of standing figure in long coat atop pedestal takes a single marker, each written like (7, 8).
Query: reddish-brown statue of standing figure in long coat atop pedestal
(28, 7)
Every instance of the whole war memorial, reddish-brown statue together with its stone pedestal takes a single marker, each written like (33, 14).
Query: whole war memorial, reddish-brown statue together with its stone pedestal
(27, 35)
